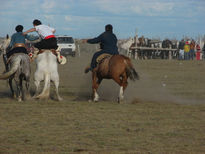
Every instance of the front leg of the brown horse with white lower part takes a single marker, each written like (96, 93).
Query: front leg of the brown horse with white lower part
(95, 85)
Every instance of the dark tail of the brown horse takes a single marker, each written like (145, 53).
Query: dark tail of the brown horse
(131, 73)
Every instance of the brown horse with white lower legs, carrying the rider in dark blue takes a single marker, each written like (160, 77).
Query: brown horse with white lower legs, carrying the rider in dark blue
(116, 67)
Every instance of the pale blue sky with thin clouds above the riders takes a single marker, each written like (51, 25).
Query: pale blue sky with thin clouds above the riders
(87, 18)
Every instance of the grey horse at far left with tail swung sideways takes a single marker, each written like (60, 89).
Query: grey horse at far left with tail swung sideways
(19, 70)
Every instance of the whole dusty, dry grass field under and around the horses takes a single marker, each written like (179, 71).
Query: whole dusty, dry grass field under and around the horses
(163, 112)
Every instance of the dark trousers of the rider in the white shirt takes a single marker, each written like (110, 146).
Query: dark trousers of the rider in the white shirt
(50, 43)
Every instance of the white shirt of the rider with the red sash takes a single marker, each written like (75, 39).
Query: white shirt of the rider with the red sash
(44, 30)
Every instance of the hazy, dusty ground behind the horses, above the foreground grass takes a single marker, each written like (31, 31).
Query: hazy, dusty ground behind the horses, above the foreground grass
(160, 80)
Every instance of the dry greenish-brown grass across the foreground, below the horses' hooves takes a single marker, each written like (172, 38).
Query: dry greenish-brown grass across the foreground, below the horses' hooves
(106, 127)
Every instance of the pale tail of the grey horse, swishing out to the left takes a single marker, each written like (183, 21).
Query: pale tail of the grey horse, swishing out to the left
(14, 68)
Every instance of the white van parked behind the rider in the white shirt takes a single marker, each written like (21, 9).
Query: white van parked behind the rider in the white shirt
(66, 45)
